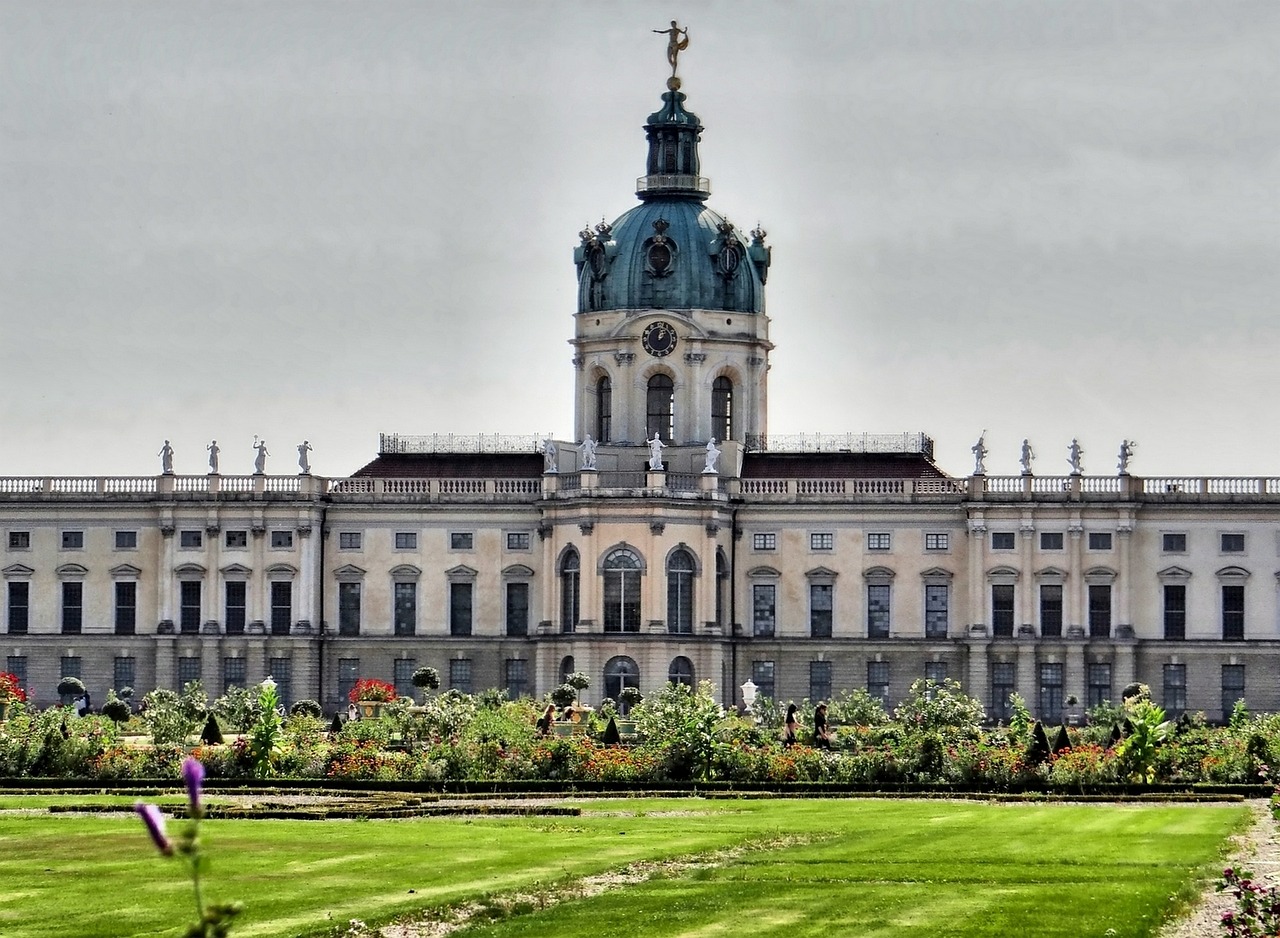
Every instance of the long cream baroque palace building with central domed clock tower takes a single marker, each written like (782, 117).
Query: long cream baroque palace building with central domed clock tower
(810, 565)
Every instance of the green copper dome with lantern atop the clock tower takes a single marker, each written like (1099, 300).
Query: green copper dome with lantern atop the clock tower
(671, 251)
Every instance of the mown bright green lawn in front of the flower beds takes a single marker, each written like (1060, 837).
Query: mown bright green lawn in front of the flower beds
(856, 868)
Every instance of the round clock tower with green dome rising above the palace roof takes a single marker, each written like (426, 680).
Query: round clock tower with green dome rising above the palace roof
(671, 335)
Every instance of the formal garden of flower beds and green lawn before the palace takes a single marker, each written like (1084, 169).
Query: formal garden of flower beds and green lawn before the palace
(662, 815)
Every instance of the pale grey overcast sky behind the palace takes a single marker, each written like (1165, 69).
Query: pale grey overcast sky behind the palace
(326, 221)
